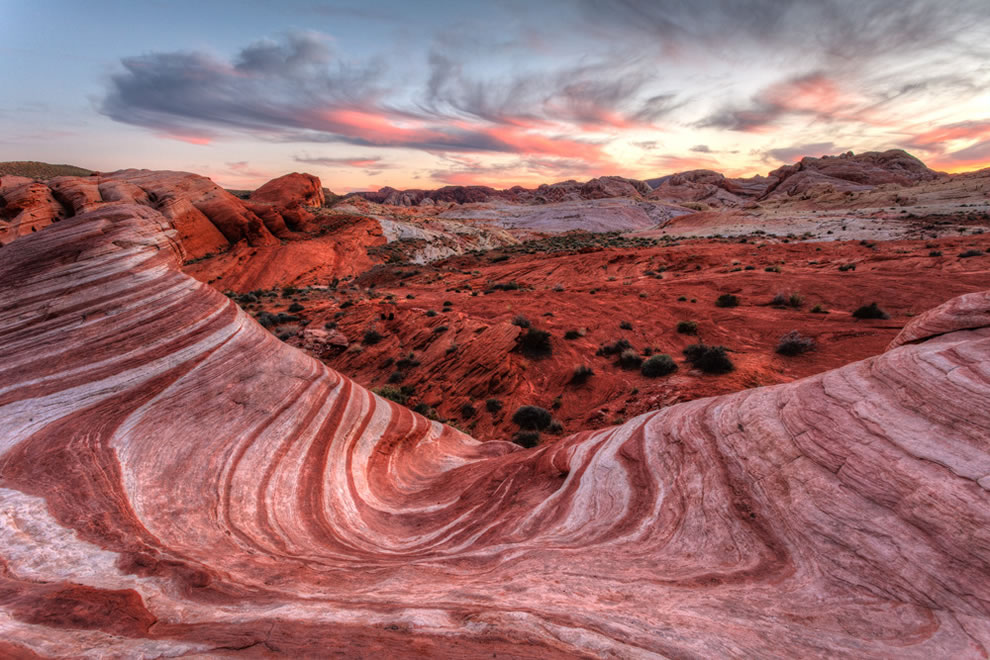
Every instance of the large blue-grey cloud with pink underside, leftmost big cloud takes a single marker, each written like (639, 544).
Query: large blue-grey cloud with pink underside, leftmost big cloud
(296, 90)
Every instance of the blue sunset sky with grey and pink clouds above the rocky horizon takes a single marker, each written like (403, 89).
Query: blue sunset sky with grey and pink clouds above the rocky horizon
(504, 92)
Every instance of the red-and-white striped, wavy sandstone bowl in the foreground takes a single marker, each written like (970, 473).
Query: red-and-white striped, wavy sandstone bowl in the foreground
(176, 481)
